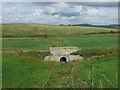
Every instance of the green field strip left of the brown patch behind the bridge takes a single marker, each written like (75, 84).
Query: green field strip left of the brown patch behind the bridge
(28, 44)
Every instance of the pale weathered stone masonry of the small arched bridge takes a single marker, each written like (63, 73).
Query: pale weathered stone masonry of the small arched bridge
(59, 52)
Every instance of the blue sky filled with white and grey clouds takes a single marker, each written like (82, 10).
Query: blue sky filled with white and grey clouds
(60, 12)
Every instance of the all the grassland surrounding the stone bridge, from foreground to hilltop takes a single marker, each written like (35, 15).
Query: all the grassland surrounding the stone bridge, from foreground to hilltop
(26, 69)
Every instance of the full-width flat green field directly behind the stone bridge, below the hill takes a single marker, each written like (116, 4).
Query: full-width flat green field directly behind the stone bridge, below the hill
(45, 43)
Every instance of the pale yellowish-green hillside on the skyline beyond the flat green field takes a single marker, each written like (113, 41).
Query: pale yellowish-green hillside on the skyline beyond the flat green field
(25, 29)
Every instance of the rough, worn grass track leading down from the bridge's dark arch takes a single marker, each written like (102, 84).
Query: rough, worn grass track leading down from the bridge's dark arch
(64, 76)
